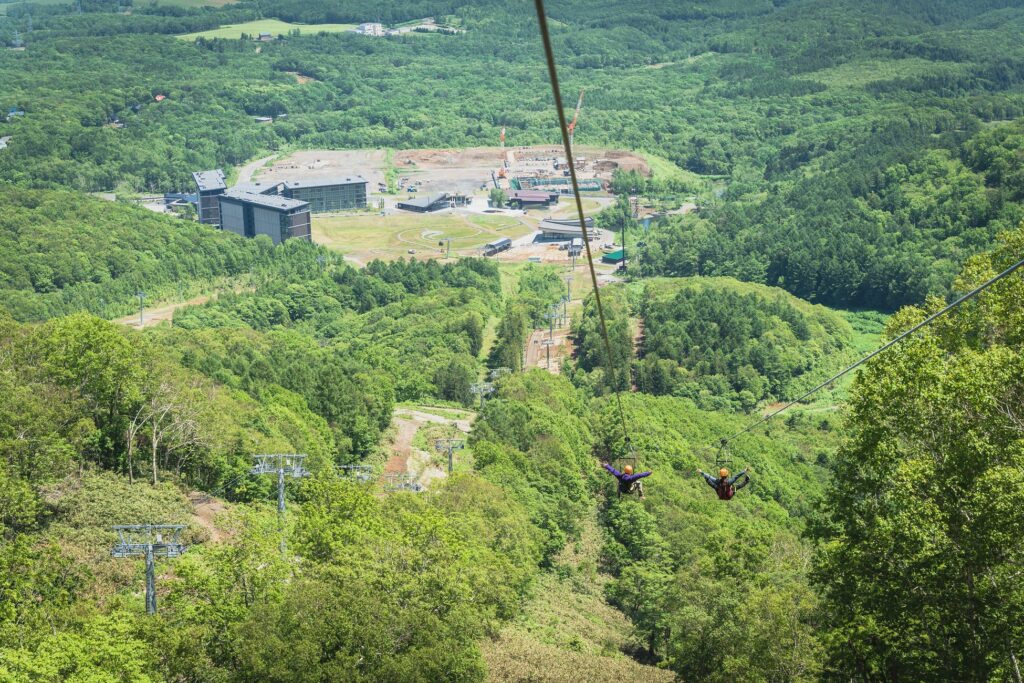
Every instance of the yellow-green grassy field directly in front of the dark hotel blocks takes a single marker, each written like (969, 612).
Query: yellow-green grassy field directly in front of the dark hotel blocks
(366, 237)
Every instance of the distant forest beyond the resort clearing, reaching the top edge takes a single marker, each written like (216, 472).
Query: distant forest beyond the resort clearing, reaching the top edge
(823, 117)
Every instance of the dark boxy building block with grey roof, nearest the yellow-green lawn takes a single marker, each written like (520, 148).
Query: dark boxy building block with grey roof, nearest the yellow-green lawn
(280, 219)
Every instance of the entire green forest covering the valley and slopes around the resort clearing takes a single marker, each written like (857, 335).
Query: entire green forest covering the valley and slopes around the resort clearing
(848, 168)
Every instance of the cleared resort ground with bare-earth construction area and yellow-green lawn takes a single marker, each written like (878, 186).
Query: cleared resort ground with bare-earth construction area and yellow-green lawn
(436, 203)
